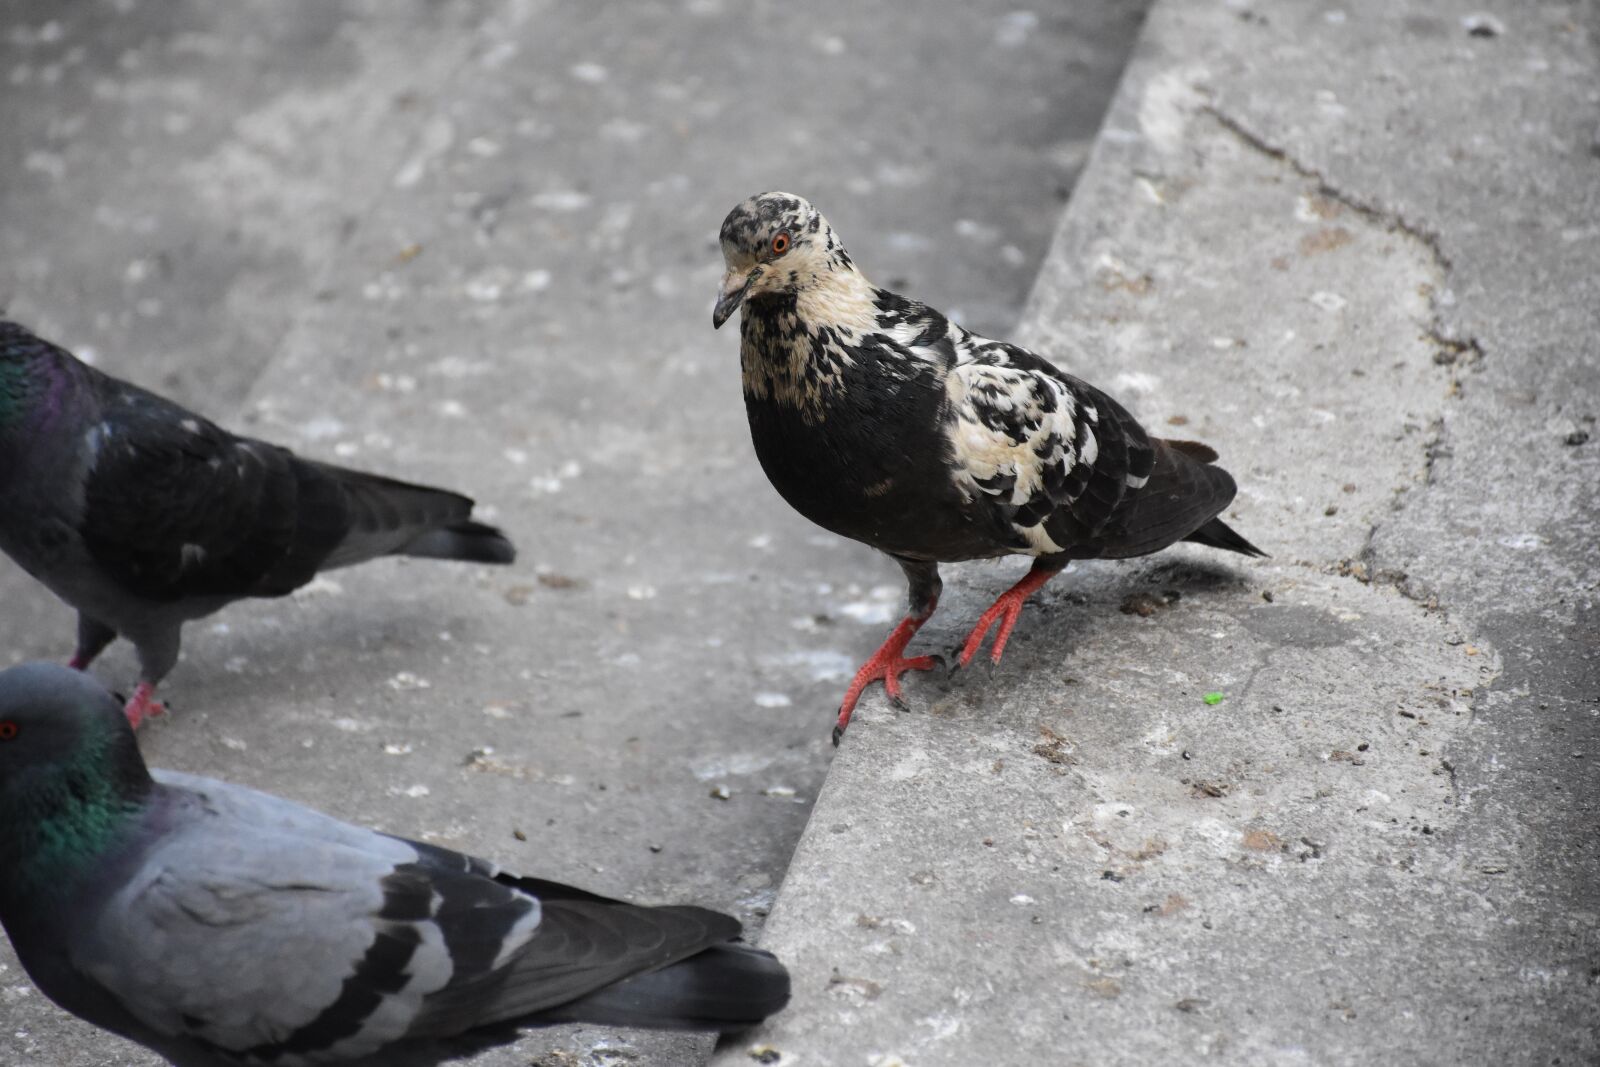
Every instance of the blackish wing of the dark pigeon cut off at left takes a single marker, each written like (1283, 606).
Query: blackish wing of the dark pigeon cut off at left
(178, 508)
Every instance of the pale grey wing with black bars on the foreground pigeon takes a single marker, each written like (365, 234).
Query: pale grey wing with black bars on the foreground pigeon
(276, 935)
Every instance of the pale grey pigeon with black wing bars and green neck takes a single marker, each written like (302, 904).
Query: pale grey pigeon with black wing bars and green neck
(223, 927)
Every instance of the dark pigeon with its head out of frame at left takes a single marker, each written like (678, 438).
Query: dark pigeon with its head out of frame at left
(145, 516)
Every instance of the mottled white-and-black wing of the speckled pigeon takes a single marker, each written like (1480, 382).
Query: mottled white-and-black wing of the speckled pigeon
(1047, 457)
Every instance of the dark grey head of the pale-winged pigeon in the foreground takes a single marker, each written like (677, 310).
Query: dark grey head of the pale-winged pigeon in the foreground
(60, 727)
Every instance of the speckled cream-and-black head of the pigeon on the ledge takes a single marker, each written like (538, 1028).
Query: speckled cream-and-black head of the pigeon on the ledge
(775, 244)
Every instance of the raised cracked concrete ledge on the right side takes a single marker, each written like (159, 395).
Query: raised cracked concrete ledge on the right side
(1354, 249)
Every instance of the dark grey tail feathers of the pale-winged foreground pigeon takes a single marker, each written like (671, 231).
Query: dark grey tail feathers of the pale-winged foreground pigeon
(726, 988)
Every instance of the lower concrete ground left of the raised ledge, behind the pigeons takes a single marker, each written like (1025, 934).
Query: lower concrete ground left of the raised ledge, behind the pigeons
(476, 246)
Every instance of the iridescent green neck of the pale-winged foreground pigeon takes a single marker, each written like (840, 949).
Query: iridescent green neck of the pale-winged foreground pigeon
(60, 820)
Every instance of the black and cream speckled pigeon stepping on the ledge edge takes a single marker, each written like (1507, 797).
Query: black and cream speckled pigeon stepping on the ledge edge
(881, 420)
